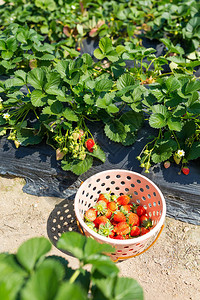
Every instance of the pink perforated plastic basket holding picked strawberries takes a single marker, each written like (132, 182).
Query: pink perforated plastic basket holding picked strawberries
(143, 191)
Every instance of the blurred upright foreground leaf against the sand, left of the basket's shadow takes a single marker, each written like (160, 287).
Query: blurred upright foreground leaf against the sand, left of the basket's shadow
(31, 250)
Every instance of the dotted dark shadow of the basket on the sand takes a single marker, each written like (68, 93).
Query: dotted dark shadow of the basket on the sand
(62, 219)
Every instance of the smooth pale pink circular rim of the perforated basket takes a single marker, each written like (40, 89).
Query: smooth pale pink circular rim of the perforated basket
(115, 241)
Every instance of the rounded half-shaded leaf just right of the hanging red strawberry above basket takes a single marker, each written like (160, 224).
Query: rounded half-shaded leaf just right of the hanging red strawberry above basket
(115, 131)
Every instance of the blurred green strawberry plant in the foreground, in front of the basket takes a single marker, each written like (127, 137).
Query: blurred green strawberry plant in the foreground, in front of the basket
(31, 274)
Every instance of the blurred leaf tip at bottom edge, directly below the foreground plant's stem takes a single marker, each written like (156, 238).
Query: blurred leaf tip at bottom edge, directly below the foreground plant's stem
(73, 292)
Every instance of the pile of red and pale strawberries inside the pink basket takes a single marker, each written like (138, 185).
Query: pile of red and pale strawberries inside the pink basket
(116, 217)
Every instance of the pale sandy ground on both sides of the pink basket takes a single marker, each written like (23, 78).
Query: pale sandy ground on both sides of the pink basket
(169, 270)
